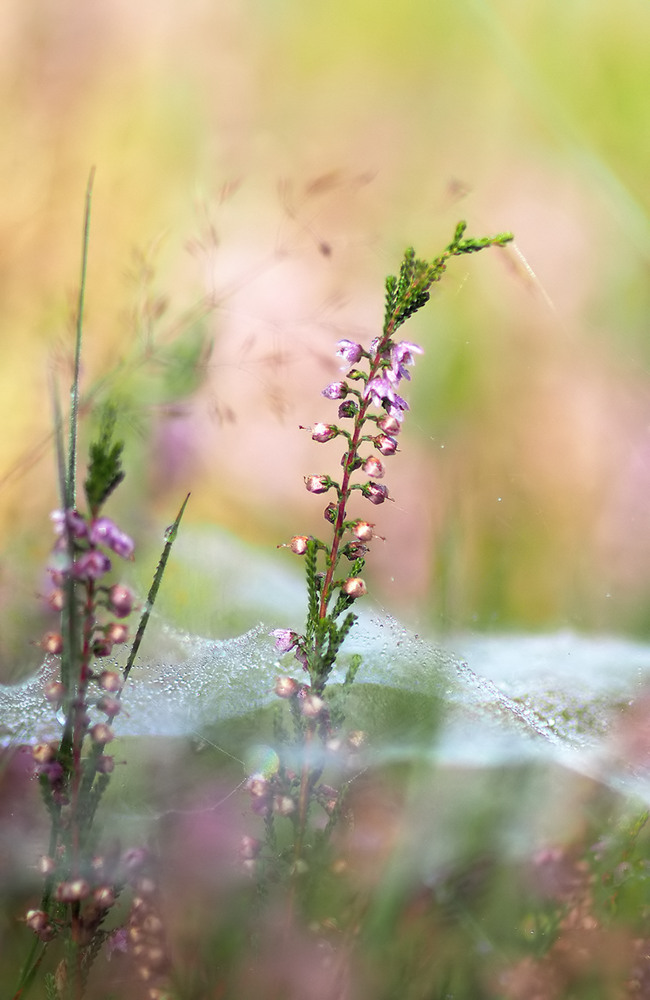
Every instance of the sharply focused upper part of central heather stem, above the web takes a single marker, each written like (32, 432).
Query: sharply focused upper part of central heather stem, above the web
(381, 368)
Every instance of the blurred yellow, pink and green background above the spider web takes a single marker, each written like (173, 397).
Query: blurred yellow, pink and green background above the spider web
(260, 168)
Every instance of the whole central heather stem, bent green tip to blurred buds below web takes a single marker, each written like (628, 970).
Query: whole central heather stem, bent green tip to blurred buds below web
(371, 399)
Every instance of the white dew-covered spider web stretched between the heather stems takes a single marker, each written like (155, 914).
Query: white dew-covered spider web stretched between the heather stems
(505, 699)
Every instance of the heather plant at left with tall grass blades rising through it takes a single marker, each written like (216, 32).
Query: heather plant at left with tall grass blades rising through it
(82, 879)
